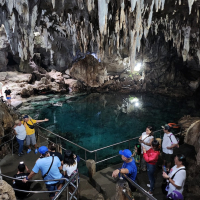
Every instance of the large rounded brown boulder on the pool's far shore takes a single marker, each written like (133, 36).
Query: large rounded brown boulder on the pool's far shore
(90, 71)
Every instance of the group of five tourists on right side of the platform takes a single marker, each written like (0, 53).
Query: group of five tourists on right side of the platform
(145, 157)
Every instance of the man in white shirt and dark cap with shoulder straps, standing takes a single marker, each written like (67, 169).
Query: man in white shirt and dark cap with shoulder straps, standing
(169, 142)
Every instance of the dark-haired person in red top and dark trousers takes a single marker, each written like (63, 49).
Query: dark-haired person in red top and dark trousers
(151, 158)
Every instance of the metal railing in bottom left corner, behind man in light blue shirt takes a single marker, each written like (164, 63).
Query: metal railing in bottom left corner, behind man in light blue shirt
(59, 192)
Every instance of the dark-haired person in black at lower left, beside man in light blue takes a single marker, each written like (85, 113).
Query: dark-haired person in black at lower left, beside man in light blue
(19, 184)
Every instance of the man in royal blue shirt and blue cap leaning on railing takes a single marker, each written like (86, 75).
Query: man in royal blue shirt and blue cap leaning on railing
(129, 167)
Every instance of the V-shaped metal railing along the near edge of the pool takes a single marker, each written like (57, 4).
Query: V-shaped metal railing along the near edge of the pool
(39, 128)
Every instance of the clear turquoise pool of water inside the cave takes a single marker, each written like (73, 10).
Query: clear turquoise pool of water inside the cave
(97, 120)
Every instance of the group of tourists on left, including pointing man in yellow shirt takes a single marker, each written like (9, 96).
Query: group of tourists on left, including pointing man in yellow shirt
(50, 162)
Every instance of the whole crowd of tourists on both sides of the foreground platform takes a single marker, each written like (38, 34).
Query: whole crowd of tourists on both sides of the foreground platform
(144, 158)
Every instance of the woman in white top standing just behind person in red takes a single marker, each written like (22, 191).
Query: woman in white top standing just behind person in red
(146, 140)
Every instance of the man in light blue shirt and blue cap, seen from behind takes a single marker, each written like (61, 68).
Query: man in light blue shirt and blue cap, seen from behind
(50, 167)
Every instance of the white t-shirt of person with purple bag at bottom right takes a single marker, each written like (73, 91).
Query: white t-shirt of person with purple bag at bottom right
(179, 179)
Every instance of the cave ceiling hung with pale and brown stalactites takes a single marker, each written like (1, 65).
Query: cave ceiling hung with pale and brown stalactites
(118, 32)
